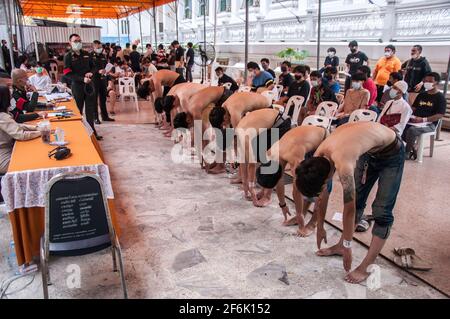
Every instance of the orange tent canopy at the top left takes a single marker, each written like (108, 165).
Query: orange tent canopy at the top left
(97, 9)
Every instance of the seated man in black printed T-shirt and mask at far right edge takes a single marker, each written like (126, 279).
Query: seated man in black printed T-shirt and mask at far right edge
(429, 107)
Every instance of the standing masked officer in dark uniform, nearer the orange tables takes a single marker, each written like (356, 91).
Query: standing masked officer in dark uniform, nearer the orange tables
(78, 66)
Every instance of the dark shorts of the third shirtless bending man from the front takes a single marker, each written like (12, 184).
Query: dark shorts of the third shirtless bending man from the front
(264, 141)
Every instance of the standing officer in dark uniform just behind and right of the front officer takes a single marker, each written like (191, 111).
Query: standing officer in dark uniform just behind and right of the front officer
(99, 80)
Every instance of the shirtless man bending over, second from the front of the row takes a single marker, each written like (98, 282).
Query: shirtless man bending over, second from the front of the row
(290, 149)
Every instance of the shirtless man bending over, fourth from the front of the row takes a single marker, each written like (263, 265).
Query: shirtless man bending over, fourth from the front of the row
(232, 111)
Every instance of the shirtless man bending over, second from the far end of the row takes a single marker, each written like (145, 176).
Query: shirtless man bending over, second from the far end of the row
(178, 97)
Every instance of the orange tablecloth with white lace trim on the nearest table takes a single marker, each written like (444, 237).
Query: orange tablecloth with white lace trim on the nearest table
(32, 156)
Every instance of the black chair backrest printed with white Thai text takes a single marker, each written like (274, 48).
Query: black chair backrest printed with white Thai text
(77, 217)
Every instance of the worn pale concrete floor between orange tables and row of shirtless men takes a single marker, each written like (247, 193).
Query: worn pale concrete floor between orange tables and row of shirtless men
(186, 234)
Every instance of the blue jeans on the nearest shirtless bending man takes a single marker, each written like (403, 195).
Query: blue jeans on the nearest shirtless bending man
(388, 171)
